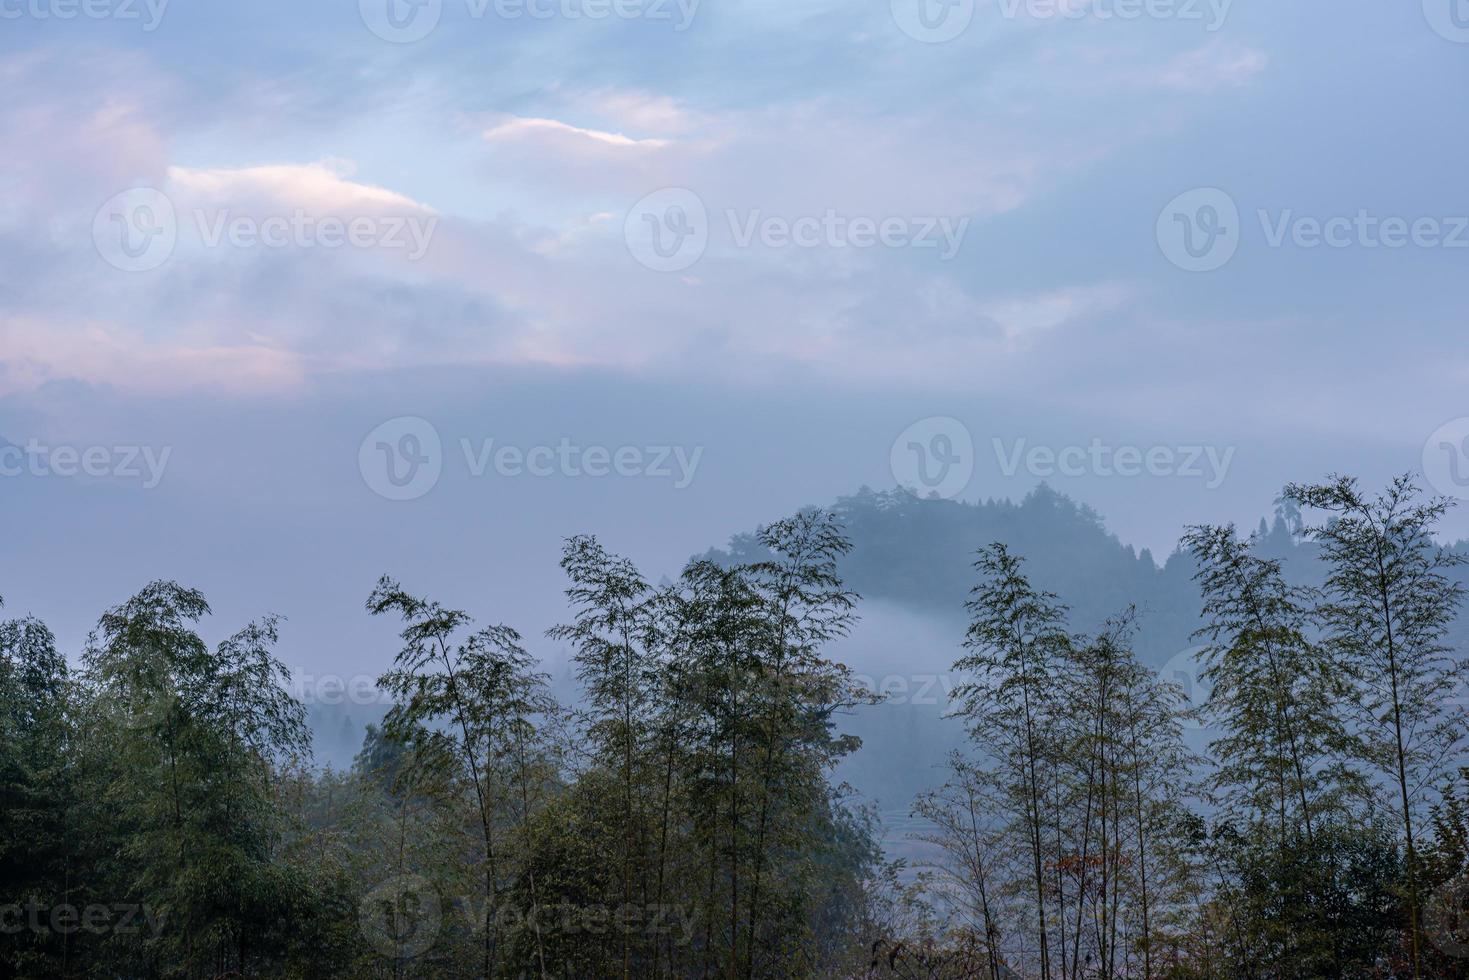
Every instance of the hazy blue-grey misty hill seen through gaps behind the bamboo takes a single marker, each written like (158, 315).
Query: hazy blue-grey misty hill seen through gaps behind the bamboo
(913, 565)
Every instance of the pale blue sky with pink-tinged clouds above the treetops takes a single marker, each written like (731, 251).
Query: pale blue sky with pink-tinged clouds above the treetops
(297, 293)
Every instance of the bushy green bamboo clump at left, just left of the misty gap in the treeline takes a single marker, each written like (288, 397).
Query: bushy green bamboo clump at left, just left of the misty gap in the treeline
(196, 740)
